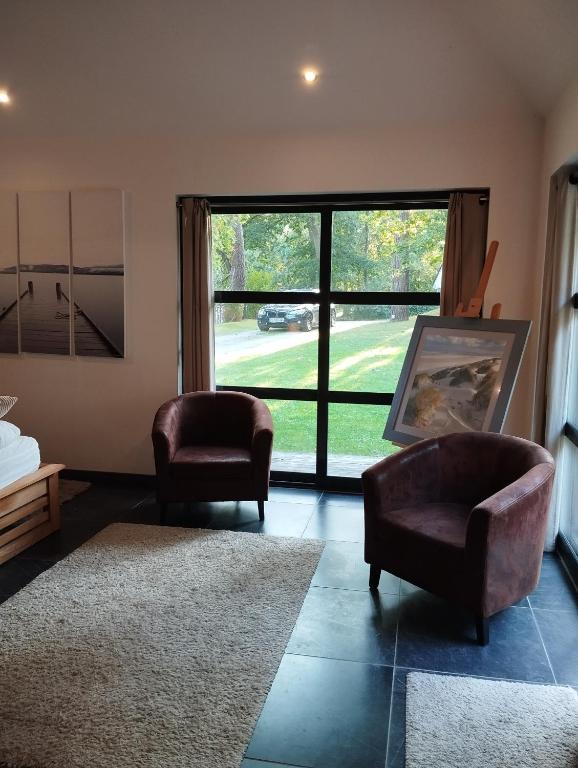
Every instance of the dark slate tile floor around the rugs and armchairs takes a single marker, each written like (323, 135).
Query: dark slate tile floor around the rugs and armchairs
(339, 696)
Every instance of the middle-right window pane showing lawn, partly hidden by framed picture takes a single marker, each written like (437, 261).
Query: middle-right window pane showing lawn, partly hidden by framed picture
(368, 346)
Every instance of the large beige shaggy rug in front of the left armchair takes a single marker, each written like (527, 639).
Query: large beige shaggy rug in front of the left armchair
(148, 647)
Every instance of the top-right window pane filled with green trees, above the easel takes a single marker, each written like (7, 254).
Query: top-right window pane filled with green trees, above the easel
(388, 250)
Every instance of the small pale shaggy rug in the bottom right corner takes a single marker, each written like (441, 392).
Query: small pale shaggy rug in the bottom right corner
(463, 721)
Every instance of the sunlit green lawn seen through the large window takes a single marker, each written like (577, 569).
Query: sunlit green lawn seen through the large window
(367, 357)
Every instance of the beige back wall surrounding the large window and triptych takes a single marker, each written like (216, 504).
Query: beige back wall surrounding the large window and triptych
(96, 414)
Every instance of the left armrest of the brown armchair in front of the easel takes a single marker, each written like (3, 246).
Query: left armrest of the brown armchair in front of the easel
(404, 479)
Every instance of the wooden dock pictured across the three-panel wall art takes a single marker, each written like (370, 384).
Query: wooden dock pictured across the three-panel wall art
(46, 325)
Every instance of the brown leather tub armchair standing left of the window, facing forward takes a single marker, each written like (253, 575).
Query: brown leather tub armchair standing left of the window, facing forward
(213, 446)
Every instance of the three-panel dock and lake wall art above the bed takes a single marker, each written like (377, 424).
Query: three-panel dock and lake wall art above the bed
(62, 273)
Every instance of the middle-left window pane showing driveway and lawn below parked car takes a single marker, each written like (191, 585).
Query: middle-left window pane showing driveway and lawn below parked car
(245, 356)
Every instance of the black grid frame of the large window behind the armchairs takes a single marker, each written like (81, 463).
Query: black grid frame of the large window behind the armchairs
(323, 396)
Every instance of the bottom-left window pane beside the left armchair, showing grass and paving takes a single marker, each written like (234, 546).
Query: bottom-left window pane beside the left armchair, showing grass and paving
(295, 430)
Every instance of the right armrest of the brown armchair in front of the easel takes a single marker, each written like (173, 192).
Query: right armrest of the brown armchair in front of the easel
(505, 540)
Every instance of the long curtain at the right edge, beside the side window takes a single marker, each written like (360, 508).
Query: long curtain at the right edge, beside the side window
(557, 315)
